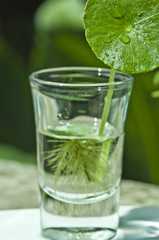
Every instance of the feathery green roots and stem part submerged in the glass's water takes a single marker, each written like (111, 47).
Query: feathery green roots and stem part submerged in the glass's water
(82, 156)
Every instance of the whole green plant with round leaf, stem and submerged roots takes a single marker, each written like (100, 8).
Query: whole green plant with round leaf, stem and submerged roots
(111, 32)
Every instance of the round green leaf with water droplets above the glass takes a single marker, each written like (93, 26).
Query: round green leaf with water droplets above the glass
(124, 34)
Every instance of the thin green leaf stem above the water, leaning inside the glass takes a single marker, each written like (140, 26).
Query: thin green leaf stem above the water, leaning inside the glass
(107, 101)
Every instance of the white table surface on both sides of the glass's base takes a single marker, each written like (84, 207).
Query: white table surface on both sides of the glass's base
(136, 223)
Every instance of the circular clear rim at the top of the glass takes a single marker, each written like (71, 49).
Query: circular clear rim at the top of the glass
(34, 78)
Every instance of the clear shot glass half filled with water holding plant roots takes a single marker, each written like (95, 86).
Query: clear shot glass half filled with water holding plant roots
(79, 169)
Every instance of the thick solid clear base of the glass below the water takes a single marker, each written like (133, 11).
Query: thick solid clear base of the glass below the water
(92, 221)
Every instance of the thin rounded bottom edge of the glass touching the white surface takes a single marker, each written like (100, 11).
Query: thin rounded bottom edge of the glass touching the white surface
(78, 233)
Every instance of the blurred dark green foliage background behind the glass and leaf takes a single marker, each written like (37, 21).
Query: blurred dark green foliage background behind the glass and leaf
(40, 34)
